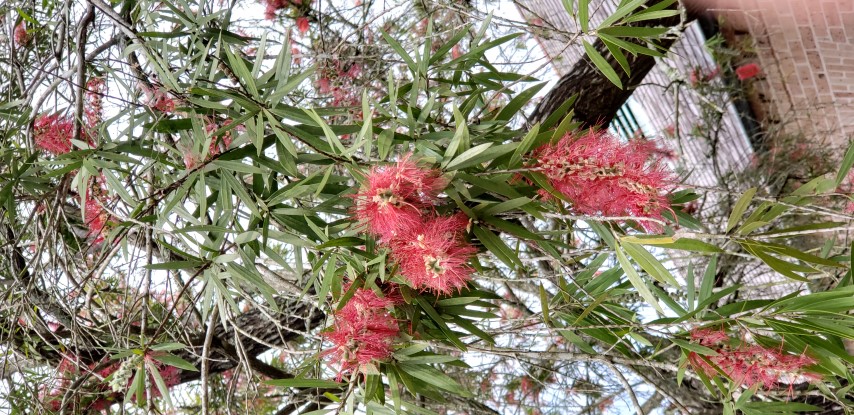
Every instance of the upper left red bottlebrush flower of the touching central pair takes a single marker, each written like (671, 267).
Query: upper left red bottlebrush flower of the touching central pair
(394, 195)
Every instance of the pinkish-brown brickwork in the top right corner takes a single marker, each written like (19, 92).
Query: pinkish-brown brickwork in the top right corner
(806, 50)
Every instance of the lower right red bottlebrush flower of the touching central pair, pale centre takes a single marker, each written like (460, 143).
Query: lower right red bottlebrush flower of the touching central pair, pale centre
(433, 256)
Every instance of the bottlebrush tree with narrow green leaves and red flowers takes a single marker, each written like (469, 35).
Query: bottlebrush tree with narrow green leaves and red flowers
(358, 218)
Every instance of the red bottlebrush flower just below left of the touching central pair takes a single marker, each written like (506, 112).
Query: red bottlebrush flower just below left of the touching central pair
(363, 333)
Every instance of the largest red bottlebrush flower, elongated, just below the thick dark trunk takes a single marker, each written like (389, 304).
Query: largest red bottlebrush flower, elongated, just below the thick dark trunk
(603, 176)
